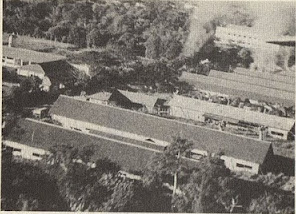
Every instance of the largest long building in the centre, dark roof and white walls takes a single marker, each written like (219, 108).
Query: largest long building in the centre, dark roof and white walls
(239, 153)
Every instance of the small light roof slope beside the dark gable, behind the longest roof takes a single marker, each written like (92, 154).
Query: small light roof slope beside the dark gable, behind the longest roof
(141, 98)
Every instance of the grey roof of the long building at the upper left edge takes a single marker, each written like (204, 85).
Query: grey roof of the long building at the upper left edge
(29, 55)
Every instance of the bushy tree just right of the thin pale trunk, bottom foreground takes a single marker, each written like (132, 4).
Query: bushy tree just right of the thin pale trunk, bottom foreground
(209, 189)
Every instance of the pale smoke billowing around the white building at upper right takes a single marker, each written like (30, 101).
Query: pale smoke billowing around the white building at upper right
(271, 20)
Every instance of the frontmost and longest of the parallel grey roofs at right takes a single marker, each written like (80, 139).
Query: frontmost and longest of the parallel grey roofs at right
(242, 90)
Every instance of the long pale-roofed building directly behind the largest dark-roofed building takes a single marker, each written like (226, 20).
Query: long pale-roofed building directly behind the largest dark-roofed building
(190, 108)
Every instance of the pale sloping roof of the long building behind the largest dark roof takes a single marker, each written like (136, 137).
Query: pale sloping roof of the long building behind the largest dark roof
(231, 112)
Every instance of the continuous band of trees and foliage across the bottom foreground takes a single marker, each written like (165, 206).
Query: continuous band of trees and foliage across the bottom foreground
(67, 180)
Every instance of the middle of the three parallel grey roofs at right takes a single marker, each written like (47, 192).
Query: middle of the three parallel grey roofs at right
(252, 80)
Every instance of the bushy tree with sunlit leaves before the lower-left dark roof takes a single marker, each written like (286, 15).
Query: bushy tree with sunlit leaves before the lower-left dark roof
(85, 185)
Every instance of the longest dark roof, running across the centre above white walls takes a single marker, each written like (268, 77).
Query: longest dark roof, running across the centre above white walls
(162, 129)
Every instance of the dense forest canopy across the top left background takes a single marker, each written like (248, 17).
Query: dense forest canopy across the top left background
(136, 26)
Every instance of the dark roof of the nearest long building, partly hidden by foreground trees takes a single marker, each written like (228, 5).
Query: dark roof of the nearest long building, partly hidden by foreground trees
(46, 136)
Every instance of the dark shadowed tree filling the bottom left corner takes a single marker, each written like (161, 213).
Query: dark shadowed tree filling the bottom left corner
(25, 187)
